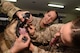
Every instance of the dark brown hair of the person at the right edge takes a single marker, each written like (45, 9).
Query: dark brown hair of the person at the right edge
(76, 33)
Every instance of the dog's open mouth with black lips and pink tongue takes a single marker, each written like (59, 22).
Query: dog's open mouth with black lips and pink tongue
(21, 28)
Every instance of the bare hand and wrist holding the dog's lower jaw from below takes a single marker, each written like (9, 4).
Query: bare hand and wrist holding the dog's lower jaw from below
(19, 44)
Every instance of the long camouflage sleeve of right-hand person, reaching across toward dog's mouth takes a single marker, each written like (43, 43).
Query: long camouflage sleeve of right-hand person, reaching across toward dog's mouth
(47, 35)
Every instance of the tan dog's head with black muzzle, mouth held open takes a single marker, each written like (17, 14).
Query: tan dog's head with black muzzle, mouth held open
(12, 30)
